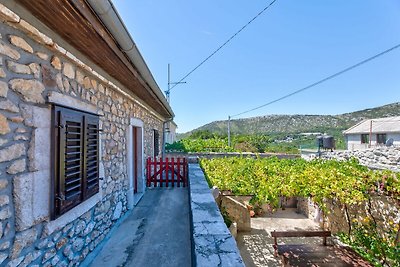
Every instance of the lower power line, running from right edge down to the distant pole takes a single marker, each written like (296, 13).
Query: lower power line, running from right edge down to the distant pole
(321, 81)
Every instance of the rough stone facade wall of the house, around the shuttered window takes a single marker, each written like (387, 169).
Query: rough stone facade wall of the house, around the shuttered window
(35, 71)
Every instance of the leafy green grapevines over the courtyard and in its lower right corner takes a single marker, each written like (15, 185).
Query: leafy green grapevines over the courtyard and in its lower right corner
(346, 182)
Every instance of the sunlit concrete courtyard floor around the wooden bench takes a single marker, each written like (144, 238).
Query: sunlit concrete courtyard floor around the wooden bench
(256, 246)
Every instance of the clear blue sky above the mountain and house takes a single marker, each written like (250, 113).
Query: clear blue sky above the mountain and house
(291, 45)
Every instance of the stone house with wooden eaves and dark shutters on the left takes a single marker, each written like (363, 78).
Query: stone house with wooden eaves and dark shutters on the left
(79, 113)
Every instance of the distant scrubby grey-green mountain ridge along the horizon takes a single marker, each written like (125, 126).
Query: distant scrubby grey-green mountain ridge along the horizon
(292, 124)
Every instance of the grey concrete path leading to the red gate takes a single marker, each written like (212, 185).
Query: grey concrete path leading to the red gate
(156, 233)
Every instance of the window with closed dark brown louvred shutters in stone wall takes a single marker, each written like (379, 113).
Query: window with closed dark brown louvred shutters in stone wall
(75, 155)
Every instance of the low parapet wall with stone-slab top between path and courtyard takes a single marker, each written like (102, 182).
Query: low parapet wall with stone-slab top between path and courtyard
(212, 243)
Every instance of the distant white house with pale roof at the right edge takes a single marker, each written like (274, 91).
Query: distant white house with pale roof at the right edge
(373, 132)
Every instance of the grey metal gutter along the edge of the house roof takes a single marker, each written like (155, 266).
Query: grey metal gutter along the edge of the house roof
(107, 13)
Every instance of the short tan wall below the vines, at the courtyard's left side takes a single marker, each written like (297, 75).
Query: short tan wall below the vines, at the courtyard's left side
(237, 211)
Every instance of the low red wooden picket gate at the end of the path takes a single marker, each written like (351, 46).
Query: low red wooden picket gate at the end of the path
(167, 172)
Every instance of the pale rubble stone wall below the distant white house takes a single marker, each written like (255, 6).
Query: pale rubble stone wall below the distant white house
(377, 158)
